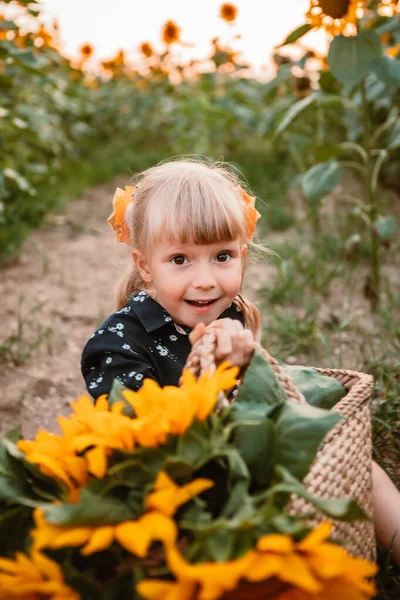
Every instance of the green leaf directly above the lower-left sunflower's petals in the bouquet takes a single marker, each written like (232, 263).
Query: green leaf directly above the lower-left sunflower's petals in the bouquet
(91, 509)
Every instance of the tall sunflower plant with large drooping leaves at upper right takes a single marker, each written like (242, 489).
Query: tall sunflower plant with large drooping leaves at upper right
(358, 86)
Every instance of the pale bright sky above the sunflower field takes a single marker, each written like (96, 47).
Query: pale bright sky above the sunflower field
(113, 24)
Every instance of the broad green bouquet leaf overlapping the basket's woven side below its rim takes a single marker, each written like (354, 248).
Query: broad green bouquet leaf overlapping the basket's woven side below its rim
(300, 429)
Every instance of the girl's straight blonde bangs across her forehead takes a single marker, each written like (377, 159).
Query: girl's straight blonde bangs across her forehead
(200, 210)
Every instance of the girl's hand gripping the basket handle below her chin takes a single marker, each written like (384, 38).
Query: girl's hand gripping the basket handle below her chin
(234, 343)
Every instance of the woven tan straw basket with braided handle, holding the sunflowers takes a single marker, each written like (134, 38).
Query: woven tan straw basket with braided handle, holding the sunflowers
(343, 465)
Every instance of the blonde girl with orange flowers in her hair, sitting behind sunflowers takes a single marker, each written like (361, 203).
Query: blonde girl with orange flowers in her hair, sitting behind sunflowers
(189, 225)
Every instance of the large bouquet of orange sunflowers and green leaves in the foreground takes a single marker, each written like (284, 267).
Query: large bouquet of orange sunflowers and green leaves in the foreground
(152, 495)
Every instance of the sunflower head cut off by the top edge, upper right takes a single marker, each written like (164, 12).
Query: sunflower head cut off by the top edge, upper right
(334, 15)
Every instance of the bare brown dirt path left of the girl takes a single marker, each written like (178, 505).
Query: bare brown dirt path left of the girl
(51, 302)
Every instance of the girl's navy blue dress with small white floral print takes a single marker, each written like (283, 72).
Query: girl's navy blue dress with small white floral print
(139, 341)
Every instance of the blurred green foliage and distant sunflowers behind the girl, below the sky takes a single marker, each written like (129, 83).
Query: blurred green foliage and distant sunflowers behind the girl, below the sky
(63, 127)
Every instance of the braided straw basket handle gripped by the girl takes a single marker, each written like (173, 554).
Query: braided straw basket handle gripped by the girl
(202, 359)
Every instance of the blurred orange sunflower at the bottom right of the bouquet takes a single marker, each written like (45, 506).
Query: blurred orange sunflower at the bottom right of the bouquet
(312, 568)
